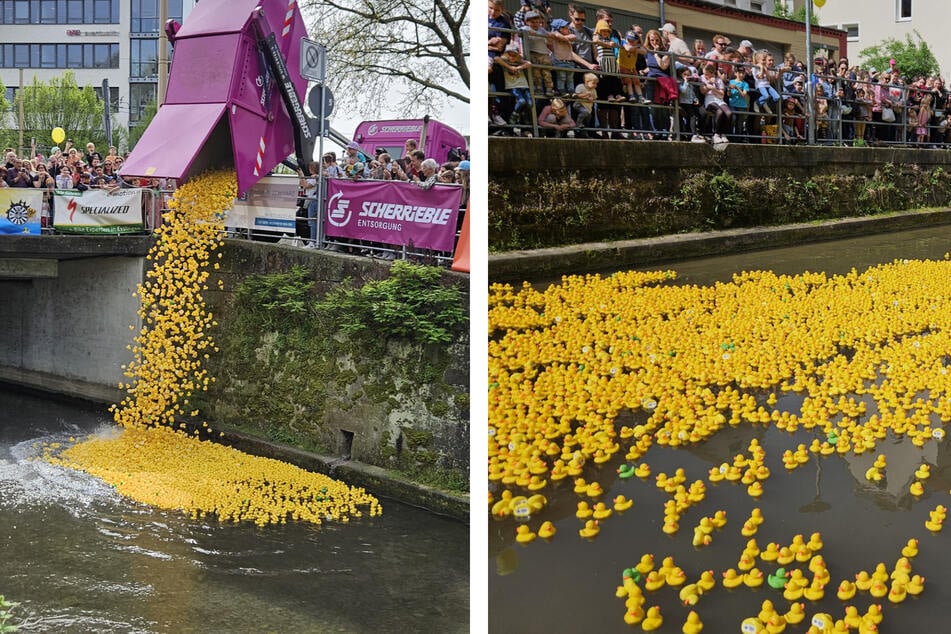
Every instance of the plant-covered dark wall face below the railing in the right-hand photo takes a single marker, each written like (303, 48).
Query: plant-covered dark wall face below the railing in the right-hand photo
(556, 209)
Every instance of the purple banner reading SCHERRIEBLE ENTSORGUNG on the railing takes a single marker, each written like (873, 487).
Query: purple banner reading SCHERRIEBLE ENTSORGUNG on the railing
(394, 213)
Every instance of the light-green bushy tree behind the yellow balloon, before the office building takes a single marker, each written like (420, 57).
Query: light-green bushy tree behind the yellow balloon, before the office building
(61, 103)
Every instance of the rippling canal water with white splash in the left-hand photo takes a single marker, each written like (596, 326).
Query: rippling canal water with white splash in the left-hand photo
(81, 559)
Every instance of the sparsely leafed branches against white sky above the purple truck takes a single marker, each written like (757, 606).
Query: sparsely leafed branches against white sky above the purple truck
(407, 55)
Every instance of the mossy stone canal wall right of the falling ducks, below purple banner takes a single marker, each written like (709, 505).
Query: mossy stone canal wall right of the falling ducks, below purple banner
(380, 401)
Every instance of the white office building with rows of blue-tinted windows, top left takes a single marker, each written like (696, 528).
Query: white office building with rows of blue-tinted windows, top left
(116, 40)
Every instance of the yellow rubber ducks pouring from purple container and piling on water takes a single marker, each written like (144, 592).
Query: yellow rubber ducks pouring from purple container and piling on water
(152, 461)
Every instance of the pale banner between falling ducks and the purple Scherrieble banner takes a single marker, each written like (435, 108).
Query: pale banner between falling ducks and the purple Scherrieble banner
(270, 205)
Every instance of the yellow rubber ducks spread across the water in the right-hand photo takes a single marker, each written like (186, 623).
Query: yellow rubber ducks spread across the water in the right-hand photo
(864, 352)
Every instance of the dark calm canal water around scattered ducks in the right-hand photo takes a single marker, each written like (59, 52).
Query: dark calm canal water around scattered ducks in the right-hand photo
(568, 584)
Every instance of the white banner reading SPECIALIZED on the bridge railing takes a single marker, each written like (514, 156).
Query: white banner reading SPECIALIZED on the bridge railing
(98, 211)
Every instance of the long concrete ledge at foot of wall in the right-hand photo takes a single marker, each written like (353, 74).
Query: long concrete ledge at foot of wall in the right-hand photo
(515, 266)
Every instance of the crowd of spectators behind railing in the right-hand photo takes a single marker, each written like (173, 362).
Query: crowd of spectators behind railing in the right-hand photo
(583, 78)
